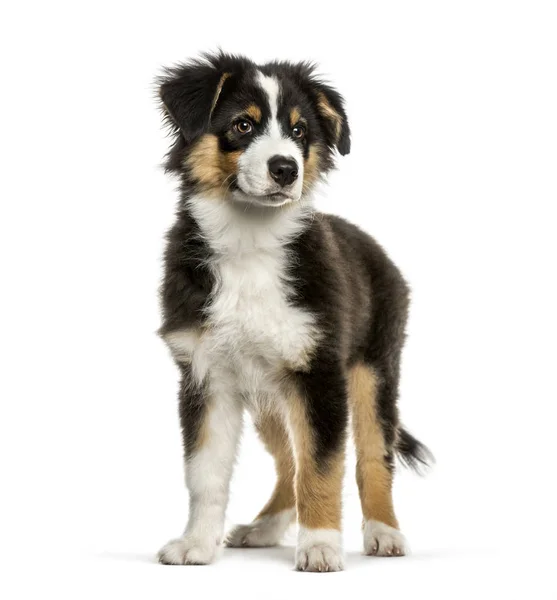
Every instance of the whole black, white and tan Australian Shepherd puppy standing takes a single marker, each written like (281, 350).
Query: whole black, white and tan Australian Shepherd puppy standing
(272, 307)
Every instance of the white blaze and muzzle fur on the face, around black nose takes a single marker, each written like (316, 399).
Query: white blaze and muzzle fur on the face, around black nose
(253, 168)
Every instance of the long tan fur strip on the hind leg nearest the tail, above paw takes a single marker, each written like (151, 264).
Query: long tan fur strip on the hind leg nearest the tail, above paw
(373, 477)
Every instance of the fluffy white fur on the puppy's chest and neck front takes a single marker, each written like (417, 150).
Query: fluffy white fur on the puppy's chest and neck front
(253, 330)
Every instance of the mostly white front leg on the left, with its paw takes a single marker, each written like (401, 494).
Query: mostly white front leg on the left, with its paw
(211, 418)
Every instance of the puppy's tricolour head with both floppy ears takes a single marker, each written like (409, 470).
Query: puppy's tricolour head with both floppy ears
(249, 133)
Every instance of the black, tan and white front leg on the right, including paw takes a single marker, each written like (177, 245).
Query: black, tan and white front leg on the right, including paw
(318, 415)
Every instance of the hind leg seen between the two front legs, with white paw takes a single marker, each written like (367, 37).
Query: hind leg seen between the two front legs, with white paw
(271, 523)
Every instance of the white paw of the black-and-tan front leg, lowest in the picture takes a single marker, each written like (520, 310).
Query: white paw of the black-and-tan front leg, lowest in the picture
(319, 550)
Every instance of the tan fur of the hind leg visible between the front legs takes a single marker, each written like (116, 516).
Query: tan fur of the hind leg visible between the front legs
(273, 433)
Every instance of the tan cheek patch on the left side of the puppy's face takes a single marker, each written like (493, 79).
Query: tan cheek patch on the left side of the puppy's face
(209, 166)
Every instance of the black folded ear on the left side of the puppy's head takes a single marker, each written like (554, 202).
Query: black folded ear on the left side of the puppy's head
(189, 94)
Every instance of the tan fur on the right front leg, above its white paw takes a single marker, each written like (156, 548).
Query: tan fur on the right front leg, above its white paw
(318, 491)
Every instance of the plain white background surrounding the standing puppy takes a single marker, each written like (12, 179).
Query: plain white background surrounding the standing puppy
(453, 107)
